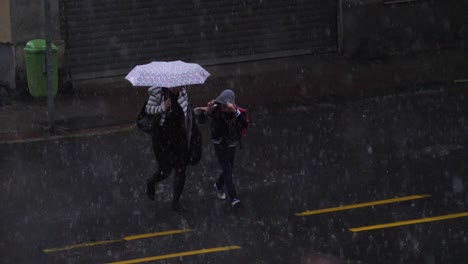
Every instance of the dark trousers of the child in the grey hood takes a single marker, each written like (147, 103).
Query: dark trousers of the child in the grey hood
(225, 156)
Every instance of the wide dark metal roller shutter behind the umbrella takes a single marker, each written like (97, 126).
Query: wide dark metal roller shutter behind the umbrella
(109, 37)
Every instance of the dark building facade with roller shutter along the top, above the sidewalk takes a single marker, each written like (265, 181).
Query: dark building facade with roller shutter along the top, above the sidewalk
(102, 39)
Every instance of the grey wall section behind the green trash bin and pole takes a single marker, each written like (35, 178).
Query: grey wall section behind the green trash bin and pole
(27, 22)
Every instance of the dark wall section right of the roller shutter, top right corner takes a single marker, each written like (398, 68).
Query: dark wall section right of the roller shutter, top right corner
(372, 28)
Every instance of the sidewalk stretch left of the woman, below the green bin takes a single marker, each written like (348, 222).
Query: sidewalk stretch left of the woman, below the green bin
(74, 116)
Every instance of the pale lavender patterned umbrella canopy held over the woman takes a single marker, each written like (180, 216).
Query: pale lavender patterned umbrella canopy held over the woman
(167, 74)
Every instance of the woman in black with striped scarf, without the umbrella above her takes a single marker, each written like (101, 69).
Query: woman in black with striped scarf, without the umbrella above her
(170, 140)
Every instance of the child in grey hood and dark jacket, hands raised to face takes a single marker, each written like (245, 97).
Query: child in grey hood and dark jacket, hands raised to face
(226, 124)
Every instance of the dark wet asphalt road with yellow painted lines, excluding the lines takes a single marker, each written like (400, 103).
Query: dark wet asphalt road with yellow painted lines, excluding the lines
(295, 158)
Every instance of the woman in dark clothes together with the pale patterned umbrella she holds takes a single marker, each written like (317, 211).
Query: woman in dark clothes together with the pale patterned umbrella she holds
(170, 139)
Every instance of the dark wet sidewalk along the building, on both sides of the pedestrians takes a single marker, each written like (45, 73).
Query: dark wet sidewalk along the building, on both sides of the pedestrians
(327, 75)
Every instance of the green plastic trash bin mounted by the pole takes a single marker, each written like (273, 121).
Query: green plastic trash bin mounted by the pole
(36, 70)
